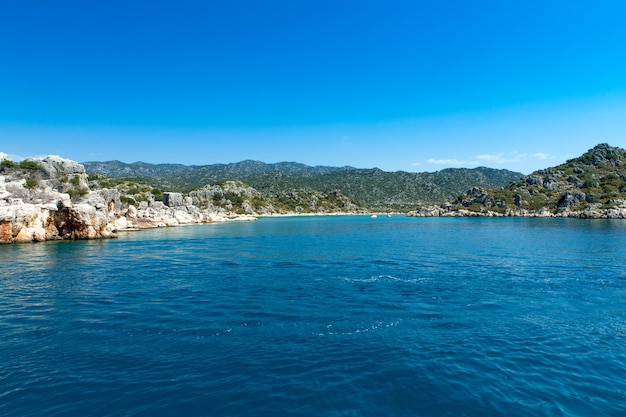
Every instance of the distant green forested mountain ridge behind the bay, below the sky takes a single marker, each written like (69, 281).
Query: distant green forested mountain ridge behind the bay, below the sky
(373, 188)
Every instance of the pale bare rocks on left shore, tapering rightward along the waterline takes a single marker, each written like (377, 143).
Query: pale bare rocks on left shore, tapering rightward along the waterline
(49, 198)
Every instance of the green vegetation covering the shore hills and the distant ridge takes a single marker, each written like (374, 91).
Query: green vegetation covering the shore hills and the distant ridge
(594, 181)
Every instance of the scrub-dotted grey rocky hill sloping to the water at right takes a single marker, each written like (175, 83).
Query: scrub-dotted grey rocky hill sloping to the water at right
(590, 186)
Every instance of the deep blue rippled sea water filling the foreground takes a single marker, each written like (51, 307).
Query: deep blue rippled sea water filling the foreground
(320, 316)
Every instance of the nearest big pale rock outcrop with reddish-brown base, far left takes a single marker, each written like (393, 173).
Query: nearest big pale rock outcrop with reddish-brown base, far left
(36, 203)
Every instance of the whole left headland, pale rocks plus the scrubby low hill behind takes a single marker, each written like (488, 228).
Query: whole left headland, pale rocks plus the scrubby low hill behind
(53, 198)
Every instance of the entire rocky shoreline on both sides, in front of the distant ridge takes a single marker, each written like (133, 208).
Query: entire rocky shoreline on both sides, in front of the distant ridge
(52, 198)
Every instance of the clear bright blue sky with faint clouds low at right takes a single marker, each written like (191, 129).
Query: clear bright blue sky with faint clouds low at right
(416, 85)
